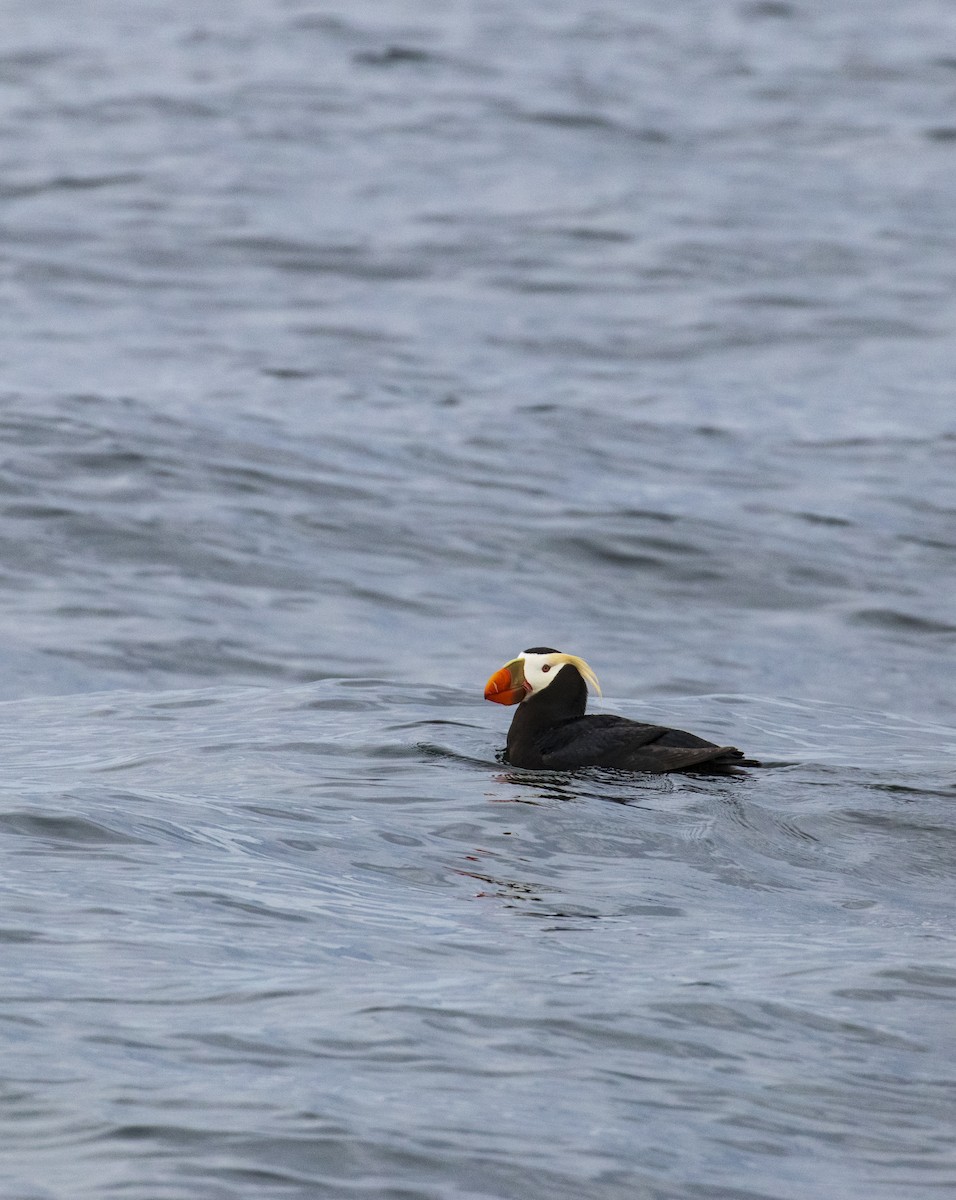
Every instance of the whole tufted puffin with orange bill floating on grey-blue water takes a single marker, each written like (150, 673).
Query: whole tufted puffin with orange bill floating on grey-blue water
(551, 733)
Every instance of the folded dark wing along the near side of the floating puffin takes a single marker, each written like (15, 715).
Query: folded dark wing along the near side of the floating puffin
(606, 741)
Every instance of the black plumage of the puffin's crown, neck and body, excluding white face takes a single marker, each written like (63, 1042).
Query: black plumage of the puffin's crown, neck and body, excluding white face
(552, 733)
